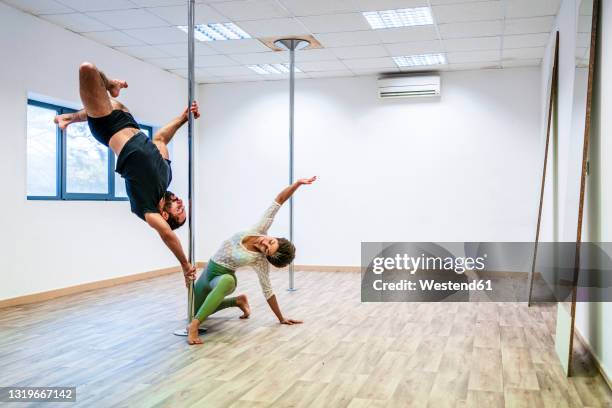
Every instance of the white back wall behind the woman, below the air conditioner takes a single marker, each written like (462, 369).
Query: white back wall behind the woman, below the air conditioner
(459, 168)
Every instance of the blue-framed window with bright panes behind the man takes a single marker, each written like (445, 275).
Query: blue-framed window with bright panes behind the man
(69, 164)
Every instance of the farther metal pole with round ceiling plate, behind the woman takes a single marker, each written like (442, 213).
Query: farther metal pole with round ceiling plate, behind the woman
(291, 44)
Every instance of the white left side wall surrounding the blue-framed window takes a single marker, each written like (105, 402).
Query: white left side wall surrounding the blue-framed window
(54, 244)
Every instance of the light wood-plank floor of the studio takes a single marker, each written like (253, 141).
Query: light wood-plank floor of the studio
(115, 345)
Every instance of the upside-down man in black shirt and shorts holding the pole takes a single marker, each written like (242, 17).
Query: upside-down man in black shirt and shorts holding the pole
(143, 163)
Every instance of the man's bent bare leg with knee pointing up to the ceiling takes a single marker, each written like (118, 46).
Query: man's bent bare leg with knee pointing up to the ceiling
(94, 88)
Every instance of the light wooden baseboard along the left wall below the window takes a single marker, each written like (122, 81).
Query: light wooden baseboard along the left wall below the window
(85, 287)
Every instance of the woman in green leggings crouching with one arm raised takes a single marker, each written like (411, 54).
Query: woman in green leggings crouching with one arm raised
(248, 248)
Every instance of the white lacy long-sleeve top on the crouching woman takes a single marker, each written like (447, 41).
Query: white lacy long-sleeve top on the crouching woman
(233, 254)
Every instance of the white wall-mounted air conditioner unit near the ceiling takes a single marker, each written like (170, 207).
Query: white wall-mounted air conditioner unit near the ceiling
(412, 86)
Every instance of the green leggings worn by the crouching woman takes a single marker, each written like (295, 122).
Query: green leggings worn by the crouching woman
(211, 288)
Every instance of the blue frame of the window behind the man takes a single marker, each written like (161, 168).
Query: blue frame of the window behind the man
(60, 160)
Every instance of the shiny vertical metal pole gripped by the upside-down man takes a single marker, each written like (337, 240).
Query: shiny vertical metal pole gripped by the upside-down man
(190, 79)
